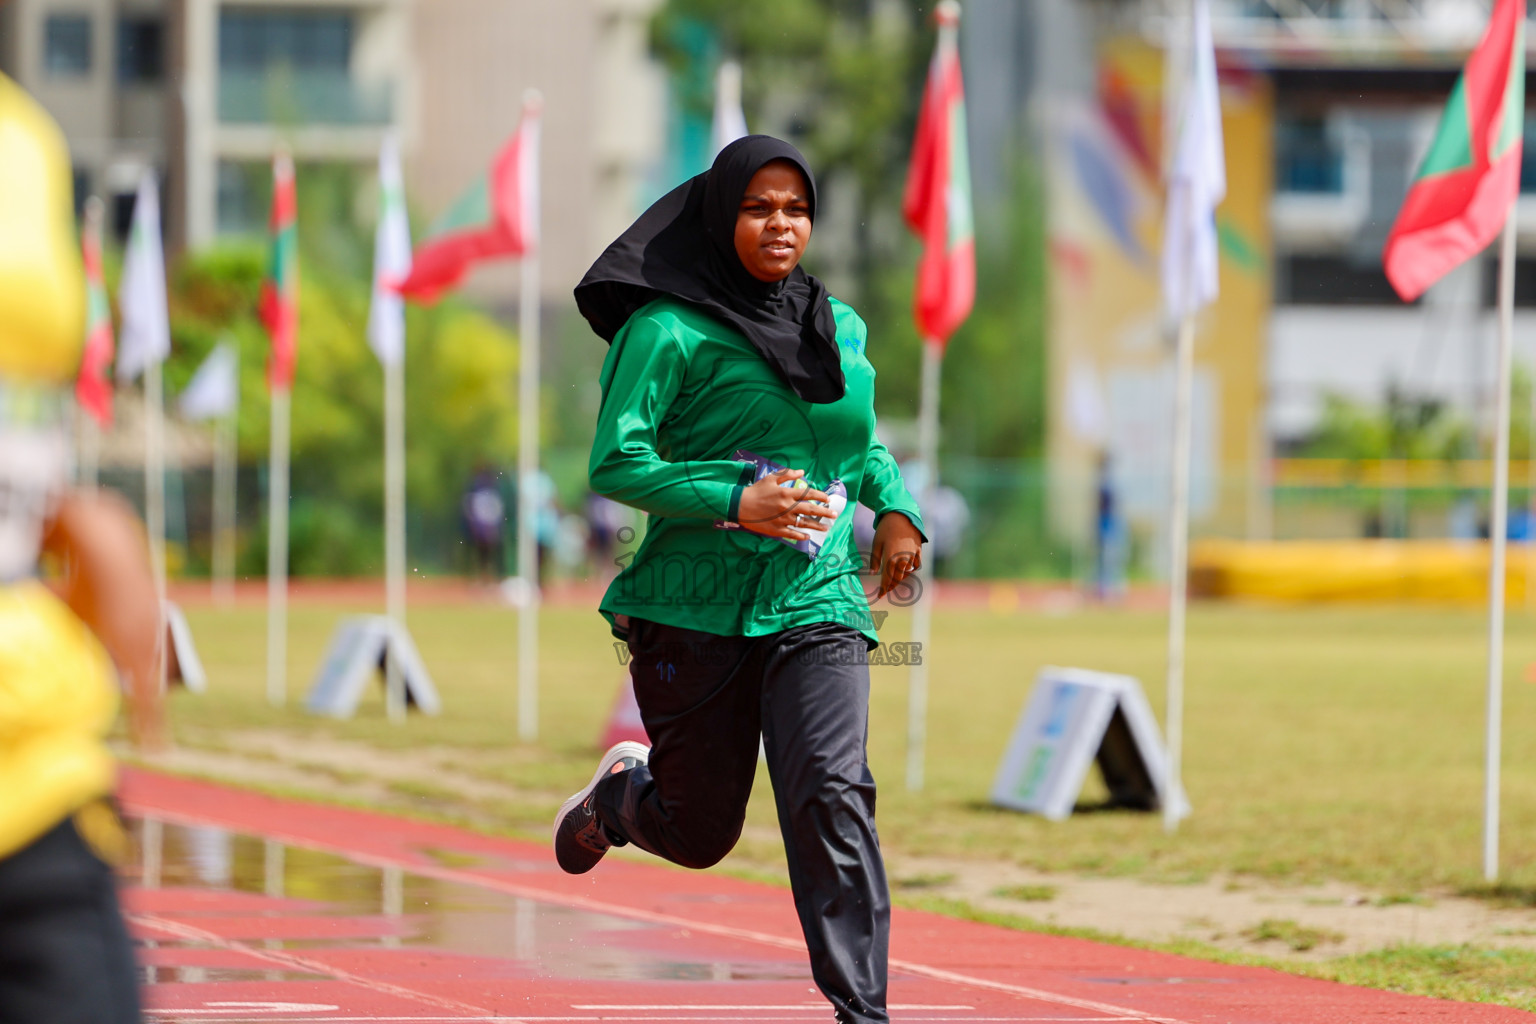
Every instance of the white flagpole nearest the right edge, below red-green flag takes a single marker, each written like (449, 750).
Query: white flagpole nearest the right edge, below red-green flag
(1500, 538)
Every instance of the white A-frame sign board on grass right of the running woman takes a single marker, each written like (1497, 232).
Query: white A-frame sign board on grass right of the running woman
(1073, 719)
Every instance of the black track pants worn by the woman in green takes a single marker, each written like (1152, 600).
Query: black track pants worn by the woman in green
(706, 699)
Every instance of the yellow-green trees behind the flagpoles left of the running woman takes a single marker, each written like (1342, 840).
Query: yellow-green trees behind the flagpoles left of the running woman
(460, 398)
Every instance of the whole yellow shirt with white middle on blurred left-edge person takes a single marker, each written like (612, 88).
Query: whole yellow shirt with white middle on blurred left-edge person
(58, 692)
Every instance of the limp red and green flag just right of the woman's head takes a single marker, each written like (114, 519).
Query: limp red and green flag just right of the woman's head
(938, 202)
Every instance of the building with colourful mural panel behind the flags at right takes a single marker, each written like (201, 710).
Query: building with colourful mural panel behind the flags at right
(1352, 94)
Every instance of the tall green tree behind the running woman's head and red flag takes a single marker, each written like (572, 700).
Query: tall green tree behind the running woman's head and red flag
(844, 81)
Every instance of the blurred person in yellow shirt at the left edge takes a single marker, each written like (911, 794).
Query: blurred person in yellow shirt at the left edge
(65, 953)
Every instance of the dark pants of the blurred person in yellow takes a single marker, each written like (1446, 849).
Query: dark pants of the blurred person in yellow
(65, 956)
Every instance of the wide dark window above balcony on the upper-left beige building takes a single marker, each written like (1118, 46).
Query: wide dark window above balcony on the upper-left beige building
(254, 41)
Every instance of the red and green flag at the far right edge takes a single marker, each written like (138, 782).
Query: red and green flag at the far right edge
(1472, 174)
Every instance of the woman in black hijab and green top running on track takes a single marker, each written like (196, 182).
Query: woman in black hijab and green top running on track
(723, 351)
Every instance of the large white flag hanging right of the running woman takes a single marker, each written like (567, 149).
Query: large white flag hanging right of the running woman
(1197, 180)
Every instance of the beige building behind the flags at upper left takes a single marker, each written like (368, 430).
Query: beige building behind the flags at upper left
(205, 91)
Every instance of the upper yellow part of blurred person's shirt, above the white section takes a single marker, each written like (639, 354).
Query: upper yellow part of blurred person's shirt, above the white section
(42, 280)
